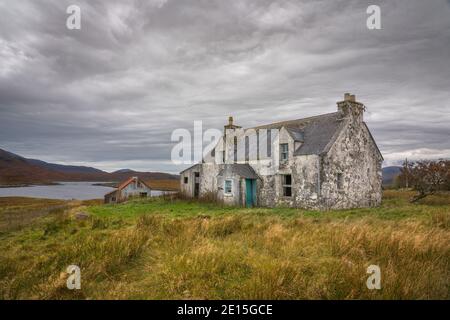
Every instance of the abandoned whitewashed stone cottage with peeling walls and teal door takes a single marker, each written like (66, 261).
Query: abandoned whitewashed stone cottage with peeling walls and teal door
(330, 161)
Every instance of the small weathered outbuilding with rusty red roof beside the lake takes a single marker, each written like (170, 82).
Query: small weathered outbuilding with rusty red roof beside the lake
(132, 187)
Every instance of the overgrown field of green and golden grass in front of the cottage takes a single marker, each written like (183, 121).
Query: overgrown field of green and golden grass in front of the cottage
(174, 249)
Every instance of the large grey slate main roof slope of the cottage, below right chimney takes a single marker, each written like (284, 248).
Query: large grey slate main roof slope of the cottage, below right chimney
(317, 133)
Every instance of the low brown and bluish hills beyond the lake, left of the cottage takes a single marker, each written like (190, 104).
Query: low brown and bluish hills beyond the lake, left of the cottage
(16, 170)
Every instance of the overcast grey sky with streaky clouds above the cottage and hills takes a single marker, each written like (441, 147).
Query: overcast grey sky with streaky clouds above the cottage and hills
(110, 94)
